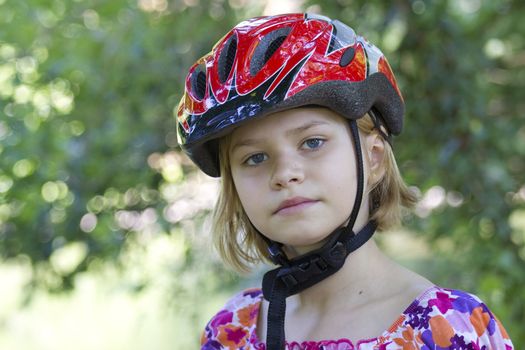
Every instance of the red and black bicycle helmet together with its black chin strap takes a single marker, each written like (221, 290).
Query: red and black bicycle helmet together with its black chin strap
(270, 64)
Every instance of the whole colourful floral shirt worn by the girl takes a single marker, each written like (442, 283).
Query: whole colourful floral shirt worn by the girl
(438, 319)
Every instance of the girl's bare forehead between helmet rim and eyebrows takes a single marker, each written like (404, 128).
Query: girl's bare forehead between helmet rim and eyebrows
(291, 120)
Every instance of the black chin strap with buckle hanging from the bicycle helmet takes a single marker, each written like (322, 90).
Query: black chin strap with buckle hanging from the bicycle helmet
(294, 276)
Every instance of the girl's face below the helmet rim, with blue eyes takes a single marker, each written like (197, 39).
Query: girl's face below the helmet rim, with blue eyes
(295, 174)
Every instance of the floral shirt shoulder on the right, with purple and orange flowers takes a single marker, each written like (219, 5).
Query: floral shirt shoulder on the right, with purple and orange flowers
(448, 318)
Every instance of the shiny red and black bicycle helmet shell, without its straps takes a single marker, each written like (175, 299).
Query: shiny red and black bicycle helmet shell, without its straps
(269, 64)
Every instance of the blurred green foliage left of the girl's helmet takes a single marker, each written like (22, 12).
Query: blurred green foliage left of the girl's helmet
(86, 127)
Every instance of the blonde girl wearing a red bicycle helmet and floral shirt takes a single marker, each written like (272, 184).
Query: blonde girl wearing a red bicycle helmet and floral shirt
(296, 114)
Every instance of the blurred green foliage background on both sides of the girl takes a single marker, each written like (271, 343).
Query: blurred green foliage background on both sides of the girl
(88, 155)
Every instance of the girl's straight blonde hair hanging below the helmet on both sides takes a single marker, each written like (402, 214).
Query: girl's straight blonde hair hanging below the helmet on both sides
(241, 246)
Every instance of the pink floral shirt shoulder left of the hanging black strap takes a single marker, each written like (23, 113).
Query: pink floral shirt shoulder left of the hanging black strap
(234, 326)
